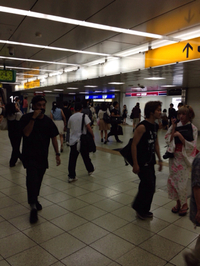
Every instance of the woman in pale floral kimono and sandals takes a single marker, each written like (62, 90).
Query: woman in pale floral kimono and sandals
(181, 139)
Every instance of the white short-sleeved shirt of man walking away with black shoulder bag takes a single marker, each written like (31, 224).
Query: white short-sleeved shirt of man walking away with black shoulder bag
(75, 123)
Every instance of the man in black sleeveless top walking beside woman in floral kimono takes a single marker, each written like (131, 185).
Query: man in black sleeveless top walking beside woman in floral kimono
(144, 146)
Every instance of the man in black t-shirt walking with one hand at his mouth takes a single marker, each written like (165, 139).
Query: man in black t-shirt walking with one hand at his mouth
(37, 130)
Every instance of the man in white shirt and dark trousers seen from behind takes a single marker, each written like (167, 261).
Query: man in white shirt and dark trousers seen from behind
(74, 124)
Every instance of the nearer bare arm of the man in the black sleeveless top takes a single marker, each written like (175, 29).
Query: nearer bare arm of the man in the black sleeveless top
(140, 130)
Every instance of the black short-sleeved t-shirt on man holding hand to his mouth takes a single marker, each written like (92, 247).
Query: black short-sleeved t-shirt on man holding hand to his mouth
(36, 145)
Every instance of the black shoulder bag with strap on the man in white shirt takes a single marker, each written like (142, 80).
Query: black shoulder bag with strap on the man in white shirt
(87, 141)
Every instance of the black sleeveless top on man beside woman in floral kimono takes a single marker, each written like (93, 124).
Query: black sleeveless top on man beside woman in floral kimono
(146, 145)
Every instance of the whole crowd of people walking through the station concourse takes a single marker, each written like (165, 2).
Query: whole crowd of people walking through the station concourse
(75, 119)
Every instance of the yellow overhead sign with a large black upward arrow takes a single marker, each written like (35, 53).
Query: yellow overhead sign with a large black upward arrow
(178, 52)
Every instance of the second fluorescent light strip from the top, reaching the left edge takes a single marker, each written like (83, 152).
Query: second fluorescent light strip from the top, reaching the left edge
(52, 48)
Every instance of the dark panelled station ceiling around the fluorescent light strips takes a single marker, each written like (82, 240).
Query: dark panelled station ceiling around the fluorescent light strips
(155, 16)
